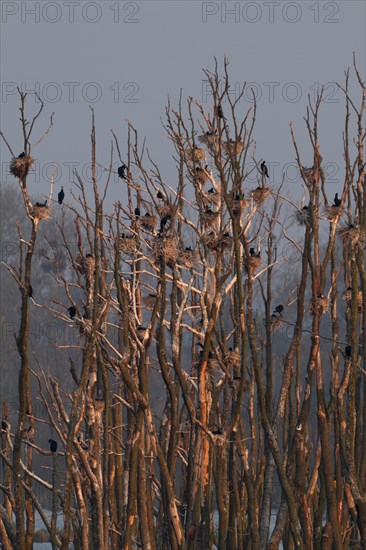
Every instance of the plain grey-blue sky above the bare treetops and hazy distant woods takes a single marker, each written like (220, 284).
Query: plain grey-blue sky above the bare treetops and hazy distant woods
(130, 56)
